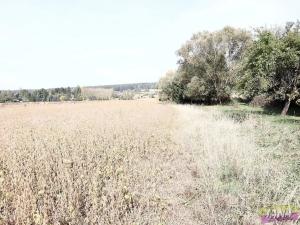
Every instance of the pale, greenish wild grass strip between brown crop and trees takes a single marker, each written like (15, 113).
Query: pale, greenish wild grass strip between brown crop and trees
(235, 166)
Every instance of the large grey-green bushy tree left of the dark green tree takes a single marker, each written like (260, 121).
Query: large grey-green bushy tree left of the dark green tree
(207, 63)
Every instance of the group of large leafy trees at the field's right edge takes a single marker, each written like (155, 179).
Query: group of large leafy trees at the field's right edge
(215, 66)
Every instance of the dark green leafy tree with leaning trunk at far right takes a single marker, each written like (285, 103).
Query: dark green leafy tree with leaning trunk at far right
(272, 65)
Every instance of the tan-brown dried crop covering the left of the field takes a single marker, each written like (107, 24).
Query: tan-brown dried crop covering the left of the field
(84, 163)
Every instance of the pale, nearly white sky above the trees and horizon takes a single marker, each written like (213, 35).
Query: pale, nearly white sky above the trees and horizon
(60, 43)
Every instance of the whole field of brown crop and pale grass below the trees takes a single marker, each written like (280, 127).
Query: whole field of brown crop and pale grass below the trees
(143, 162)
